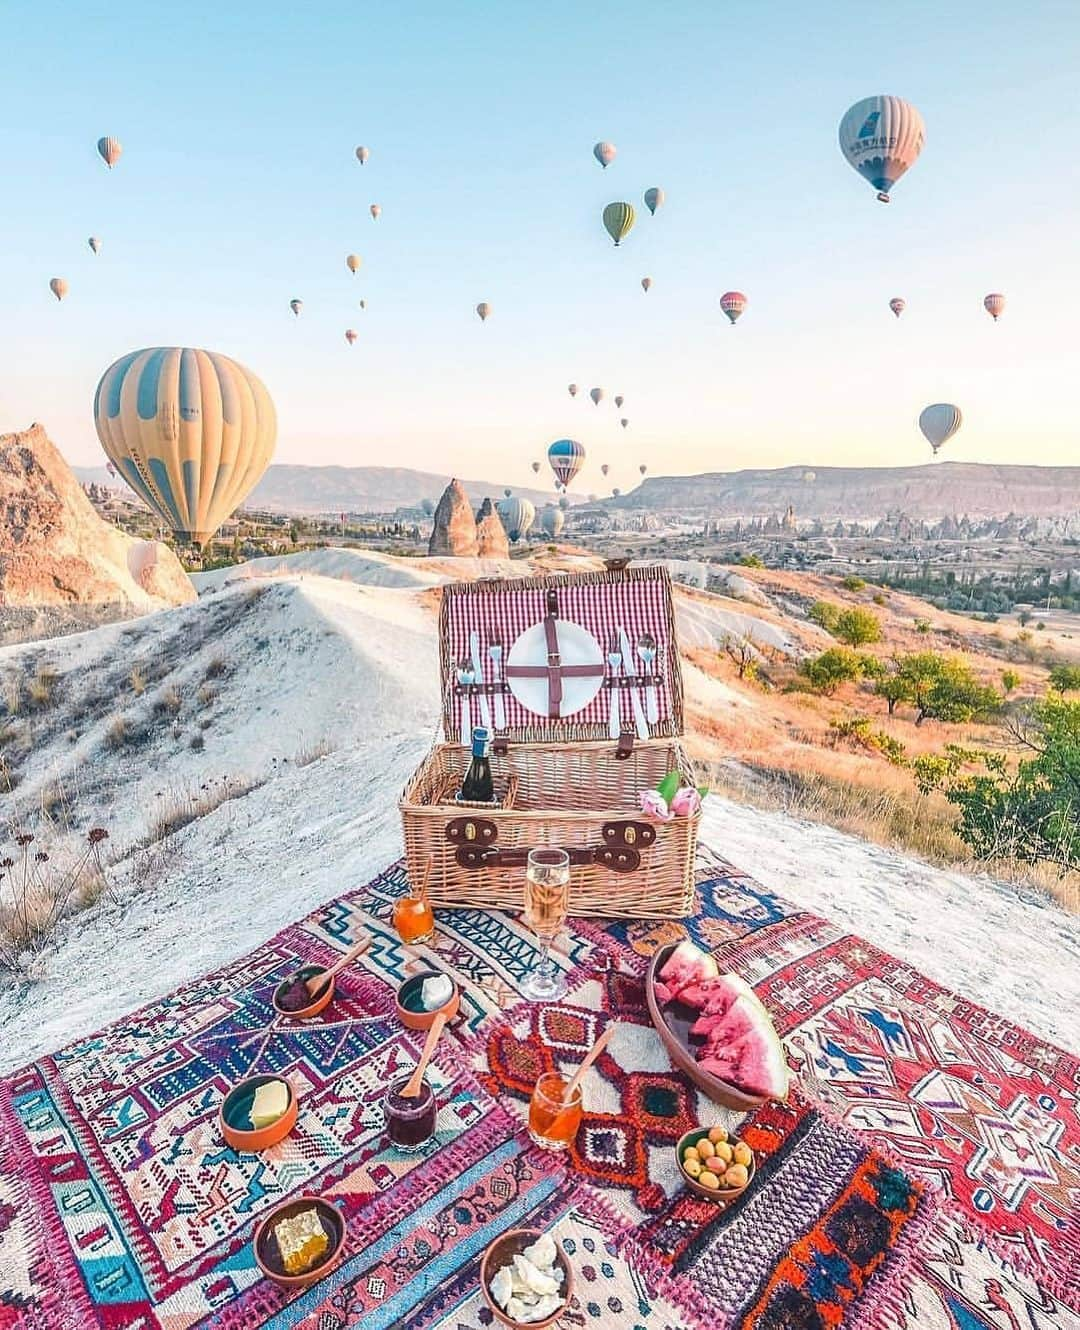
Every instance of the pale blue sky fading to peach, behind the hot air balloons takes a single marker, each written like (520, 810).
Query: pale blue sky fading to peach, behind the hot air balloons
(239, 191)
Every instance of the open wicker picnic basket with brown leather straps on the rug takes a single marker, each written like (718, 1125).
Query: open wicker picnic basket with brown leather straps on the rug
(547, 686)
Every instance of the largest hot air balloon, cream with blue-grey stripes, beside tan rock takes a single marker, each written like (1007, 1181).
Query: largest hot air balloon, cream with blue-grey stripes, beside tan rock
(190, 430)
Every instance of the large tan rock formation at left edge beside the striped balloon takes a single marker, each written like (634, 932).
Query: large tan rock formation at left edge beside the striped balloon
(57, 551)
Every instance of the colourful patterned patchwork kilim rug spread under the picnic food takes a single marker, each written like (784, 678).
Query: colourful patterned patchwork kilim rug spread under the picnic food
(925, 1174)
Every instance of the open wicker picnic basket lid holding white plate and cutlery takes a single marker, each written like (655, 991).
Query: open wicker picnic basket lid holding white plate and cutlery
(585, 611)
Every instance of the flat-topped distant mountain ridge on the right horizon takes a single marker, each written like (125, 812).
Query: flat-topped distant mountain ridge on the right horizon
(932, 491)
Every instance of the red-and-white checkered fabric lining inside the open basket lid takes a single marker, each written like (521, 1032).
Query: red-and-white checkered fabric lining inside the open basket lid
(639, 607)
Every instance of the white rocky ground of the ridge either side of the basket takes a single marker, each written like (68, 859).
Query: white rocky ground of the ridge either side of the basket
(301, 660)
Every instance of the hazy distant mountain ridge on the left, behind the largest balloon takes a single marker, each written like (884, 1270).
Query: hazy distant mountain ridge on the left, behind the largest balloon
(332, 490)
